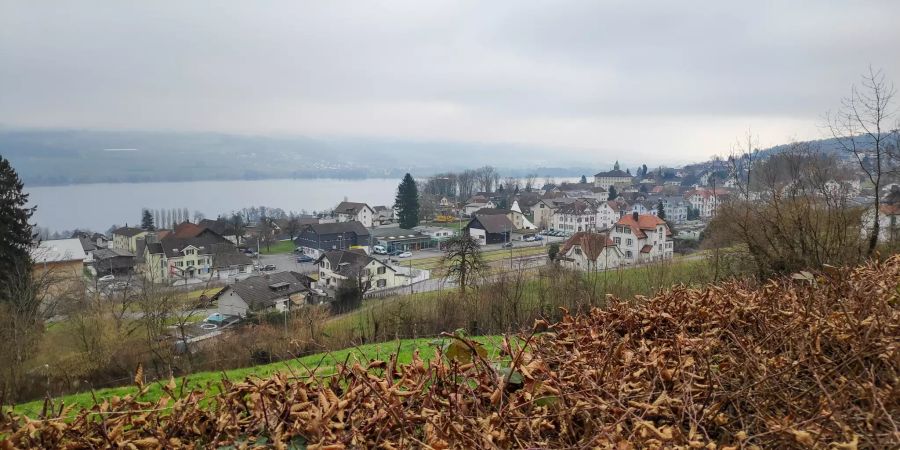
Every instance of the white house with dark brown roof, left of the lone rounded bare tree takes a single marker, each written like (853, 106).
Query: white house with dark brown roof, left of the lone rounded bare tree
(338, 266)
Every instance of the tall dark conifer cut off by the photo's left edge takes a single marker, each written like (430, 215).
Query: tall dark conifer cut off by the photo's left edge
(16, 234)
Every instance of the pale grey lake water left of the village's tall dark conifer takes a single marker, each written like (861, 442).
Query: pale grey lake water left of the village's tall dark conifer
(98, 206)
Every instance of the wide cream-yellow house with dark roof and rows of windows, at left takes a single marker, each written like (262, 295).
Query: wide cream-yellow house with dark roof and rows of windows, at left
(205, 256)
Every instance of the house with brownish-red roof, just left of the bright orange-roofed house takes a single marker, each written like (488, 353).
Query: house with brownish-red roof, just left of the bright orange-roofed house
(590, 251)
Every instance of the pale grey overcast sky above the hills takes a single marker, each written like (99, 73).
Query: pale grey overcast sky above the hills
(674, 81)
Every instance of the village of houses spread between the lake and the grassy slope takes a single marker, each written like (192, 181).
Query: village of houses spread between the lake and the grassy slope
(247, 267)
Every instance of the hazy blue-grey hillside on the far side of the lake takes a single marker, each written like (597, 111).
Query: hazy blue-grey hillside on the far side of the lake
(53, 157)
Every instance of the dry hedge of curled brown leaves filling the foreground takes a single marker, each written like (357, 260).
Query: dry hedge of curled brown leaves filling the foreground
(801, 362)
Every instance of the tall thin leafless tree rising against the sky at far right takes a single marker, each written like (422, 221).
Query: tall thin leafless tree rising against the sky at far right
(861, 128)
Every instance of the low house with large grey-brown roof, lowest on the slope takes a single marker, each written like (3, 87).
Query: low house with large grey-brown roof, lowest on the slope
(279, 291)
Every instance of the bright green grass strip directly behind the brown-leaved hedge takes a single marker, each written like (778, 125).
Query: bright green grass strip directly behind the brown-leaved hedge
(320, 364)
